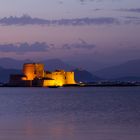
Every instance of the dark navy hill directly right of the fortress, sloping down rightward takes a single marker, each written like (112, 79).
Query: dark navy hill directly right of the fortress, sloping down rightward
(84, 76)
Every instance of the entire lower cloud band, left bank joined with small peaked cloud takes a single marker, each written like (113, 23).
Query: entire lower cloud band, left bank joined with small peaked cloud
(22, 48)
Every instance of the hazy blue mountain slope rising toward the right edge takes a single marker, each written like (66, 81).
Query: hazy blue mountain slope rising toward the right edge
(124, 70)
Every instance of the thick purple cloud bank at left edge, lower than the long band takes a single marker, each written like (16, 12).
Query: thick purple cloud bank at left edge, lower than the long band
(24, 47)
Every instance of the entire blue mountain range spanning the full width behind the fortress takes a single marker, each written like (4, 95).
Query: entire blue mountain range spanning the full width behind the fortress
(129, 71)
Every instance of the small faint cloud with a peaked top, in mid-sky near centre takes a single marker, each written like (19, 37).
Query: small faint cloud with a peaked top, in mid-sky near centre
(80, 45)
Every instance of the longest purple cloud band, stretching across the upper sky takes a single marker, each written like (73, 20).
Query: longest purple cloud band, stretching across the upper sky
(27, 20)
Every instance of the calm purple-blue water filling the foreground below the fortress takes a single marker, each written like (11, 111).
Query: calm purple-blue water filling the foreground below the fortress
(70, 113)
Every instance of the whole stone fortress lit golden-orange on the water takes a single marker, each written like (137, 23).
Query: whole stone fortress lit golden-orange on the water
(35, 75)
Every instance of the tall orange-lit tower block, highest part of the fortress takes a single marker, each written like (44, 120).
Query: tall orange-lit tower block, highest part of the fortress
(33, 70)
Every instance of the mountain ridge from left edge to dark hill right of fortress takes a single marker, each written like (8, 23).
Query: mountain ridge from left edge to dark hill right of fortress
(8, 66)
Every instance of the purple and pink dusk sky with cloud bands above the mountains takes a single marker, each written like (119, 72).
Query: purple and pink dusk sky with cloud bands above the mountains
(104, 32)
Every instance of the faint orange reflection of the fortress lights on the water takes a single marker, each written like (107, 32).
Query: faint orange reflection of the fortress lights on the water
(55, 130)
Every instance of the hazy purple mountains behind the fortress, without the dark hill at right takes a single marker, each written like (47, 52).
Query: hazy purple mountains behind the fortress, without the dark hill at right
(12, 66)
